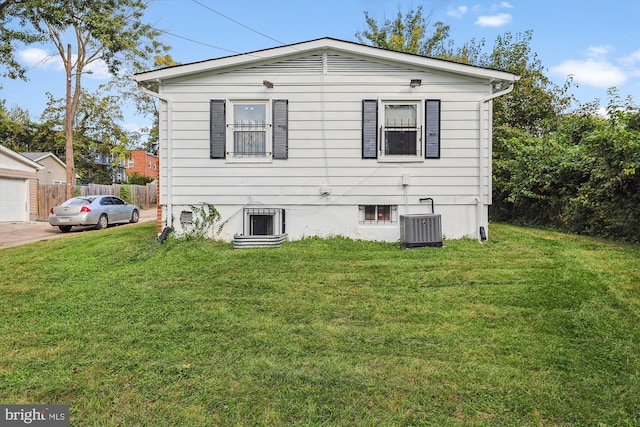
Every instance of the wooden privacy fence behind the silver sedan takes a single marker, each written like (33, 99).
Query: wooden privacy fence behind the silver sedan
(50, 195)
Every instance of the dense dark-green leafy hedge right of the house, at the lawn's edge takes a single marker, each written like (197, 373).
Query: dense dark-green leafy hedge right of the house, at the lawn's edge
(583, 177)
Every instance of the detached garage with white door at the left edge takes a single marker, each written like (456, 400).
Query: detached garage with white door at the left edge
(18, 187)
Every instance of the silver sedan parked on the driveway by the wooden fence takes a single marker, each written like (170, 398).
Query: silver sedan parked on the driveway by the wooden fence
(100, 211)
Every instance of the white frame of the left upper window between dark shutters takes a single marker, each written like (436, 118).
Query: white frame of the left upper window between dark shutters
(234, 157)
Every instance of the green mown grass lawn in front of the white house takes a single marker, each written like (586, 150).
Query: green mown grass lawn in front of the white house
(530, 328)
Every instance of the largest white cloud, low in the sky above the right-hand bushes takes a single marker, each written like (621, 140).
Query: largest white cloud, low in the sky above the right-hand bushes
(591, 72)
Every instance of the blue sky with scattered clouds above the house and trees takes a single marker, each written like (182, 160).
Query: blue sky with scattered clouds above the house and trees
(596, 41)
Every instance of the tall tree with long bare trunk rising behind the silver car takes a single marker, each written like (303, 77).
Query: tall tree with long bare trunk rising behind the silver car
(110, 31)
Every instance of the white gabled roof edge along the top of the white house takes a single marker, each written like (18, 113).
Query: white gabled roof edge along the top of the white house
(154, 77)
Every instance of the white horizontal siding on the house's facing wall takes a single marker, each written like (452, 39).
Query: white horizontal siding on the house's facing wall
(324, 146)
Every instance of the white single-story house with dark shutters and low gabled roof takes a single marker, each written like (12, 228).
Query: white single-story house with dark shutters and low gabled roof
(326, 137)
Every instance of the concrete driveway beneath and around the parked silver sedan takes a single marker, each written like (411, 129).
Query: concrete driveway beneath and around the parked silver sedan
(20, 233)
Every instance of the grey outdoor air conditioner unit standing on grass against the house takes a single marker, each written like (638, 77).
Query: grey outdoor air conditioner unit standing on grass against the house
(418, 230)
